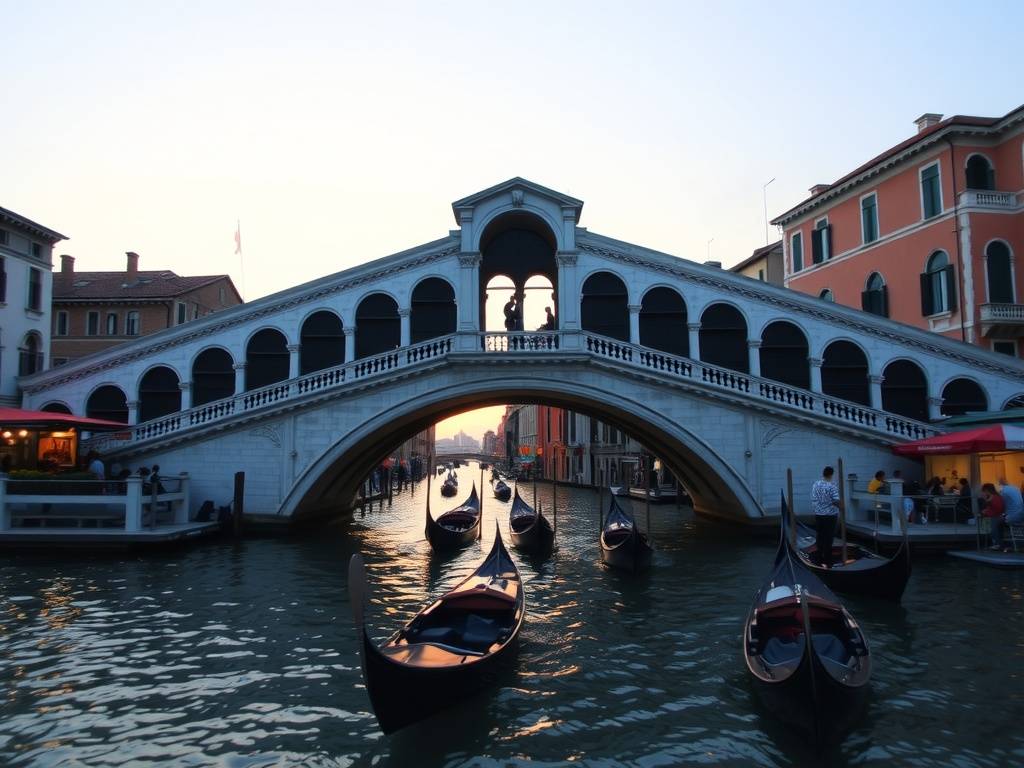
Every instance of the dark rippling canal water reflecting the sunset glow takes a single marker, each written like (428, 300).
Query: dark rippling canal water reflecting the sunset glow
(244, 655)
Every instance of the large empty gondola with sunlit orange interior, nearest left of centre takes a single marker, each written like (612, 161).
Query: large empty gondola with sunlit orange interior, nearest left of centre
(447, 653)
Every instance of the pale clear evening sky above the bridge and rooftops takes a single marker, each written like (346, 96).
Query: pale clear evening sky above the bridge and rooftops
(339, 133)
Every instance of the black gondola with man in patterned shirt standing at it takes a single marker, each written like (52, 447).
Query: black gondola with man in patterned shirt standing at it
(865, 573)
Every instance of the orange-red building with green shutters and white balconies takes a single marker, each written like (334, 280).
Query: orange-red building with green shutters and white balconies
(927, 233)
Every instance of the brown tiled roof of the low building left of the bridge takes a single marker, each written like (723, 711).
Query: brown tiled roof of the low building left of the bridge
(149, 285)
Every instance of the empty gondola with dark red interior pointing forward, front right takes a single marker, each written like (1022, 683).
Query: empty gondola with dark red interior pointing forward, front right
(808, 657)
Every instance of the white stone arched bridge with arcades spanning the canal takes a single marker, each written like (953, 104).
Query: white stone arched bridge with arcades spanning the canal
(730, 380)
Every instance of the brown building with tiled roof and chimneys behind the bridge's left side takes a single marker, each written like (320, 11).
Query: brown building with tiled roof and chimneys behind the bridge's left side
(94, 312)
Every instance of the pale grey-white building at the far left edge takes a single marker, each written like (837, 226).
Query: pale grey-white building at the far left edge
(26, 290)
